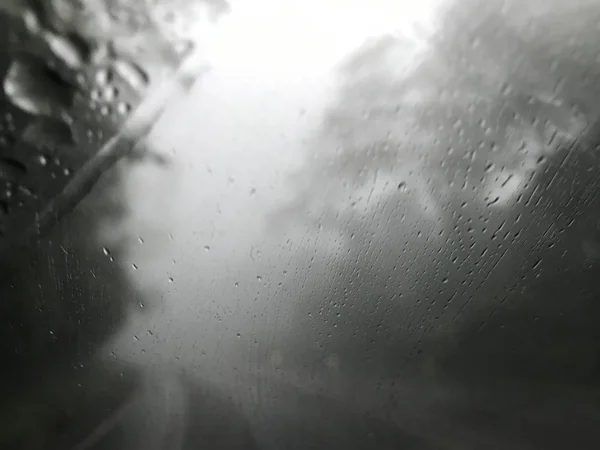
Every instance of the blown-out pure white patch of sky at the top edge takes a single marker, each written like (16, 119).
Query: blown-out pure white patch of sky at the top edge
(300, 35)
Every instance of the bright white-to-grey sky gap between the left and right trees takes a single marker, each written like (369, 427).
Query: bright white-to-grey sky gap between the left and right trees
(235, 140)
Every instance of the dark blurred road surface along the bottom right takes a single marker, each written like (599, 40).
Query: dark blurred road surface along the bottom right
(289, 411)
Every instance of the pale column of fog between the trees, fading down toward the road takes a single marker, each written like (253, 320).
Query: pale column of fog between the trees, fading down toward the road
(208, 220)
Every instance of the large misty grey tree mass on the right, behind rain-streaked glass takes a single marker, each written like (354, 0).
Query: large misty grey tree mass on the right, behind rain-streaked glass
(450, 176)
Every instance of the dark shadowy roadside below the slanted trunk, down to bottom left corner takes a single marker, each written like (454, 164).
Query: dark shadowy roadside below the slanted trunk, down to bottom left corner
(63, 297)
